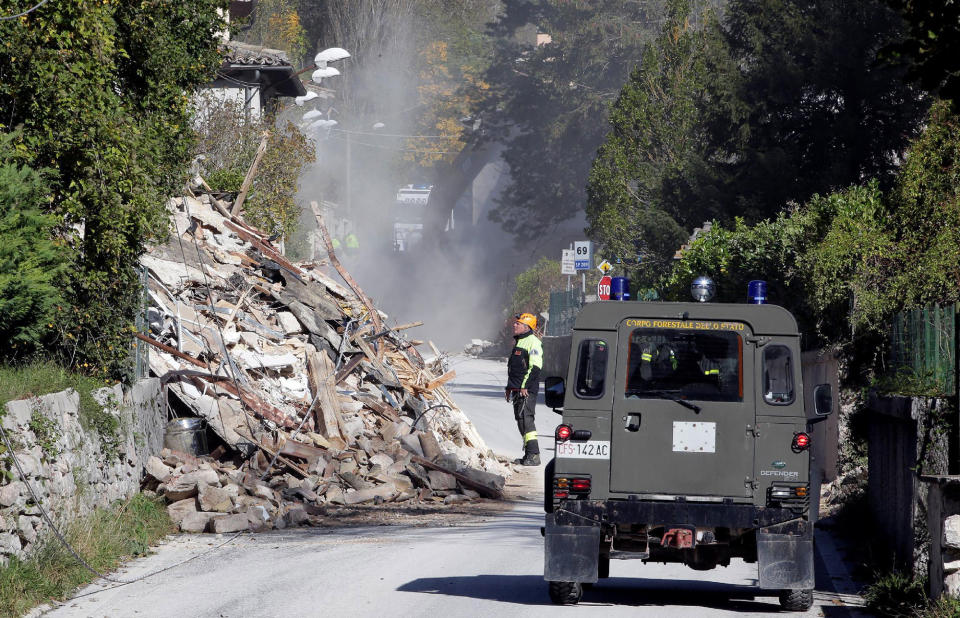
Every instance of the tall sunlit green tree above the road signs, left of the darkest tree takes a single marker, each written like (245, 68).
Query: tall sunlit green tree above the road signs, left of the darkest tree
(654, 141)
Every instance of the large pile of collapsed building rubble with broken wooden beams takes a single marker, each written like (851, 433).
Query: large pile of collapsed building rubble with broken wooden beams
(316, 401)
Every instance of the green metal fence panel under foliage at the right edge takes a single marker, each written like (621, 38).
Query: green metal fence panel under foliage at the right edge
(923, 346)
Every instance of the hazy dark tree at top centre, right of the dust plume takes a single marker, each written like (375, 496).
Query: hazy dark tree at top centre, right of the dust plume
(548, 102)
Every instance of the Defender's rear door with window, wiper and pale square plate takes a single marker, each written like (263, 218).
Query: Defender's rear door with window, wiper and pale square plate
(683, 414)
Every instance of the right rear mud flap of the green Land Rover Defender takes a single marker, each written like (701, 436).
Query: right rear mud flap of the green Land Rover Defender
(785, 561)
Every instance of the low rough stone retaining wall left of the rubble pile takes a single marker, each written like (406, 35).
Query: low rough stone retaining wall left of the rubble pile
(73, 471)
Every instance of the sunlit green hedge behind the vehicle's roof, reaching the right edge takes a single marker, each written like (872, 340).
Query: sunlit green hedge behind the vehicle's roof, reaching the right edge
(845, 262)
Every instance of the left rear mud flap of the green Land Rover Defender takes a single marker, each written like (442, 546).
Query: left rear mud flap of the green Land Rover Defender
(571, 553)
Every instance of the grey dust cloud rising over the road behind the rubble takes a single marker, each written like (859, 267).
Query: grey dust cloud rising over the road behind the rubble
(457, 281)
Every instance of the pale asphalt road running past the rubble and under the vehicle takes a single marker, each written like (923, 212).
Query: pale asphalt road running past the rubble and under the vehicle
(491, 567)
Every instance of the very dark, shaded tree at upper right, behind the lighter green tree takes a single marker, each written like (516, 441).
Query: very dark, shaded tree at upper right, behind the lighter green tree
(807, 105)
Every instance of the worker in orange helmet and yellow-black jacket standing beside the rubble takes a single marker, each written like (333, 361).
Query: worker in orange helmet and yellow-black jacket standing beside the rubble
(523, 383)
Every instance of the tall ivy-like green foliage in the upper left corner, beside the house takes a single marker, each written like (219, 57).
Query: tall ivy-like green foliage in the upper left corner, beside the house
(101, 92)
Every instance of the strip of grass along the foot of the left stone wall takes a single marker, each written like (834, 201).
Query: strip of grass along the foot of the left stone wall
(104, 539)
